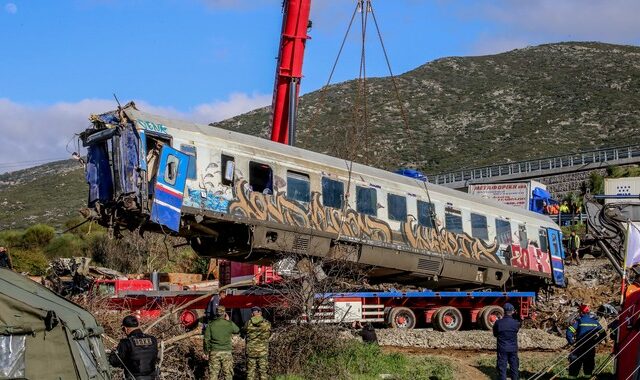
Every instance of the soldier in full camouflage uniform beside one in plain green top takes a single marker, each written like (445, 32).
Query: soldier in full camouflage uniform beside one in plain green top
(257, 331)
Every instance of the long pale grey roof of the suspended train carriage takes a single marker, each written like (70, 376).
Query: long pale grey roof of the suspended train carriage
(303, 154)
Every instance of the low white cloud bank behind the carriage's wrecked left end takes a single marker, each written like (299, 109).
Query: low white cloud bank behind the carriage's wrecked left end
(32, 135)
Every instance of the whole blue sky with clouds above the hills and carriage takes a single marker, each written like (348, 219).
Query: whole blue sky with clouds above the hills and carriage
(208, 60)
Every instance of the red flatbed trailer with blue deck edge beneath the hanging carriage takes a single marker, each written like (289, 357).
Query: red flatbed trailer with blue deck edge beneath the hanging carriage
(444, 310)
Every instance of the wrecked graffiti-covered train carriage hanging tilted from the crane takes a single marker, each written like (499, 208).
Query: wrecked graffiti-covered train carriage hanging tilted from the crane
(248, 199)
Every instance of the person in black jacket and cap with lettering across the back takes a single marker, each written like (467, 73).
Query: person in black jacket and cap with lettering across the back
(137, 354)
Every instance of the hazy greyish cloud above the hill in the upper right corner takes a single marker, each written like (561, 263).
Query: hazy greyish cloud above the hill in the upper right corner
(515, 24)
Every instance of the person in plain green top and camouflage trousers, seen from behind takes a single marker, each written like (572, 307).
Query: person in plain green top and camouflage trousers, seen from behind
(217, 344)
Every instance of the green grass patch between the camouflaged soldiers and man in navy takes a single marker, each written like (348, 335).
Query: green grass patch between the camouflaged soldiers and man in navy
(362, 361)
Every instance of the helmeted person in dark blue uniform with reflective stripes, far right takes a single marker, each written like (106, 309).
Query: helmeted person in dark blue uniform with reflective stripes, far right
(584, 334)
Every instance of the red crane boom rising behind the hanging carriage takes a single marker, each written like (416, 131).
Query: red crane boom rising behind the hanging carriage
(295, 22)
